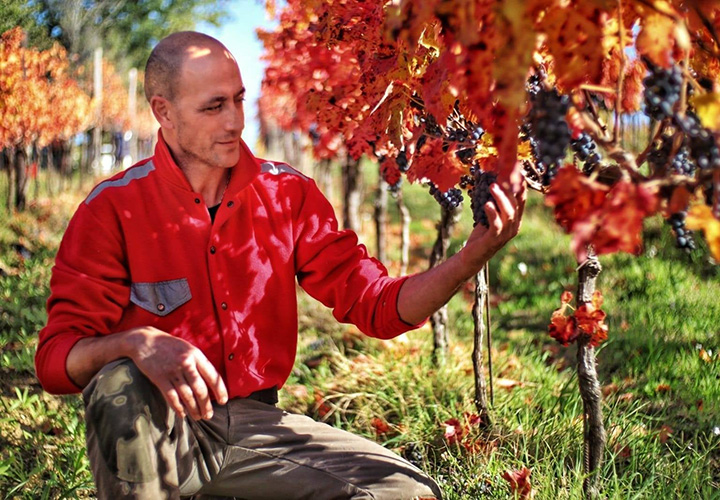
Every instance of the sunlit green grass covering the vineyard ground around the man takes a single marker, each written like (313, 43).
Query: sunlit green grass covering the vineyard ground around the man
(660, 371)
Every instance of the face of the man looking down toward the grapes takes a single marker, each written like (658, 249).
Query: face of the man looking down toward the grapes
(208, 114)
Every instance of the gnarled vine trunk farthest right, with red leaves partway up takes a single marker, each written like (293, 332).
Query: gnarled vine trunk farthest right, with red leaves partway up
(593, 429)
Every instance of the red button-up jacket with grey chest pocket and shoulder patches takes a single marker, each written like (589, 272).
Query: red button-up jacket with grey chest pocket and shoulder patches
(141, 250)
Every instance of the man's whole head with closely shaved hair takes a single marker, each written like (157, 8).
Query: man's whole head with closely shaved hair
(195, 90)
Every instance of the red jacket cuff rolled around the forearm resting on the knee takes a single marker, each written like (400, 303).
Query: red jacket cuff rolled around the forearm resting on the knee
(51, 364)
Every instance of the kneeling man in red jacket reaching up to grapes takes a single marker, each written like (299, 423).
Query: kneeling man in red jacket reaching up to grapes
(173, 307)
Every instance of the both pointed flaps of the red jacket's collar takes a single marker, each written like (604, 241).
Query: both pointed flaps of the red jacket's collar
(243, 173)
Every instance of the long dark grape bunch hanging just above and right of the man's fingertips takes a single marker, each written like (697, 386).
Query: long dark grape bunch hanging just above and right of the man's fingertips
(548, 131)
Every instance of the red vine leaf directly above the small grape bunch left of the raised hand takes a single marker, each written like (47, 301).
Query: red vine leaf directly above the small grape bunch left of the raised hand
(443, 168)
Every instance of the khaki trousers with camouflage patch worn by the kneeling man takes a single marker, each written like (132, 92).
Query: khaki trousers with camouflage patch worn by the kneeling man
(139, 448)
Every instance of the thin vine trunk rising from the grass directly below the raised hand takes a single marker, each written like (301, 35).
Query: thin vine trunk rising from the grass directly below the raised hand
(482, 292)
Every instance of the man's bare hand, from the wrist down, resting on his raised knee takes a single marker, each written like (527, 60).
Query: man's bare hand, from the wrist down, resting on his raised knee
(180, 371)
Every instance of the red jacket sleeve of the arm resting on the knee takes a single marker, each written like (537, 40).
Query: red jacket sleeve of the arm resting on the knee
(88, 292)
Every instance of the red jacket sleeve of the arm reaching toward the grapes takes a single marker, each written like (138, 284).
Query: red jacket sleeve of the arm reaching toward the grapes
(336, 270)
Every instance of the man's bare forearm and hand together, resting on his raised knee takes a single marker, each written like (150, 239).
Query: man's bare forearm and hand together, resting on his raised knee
(178, 369)
